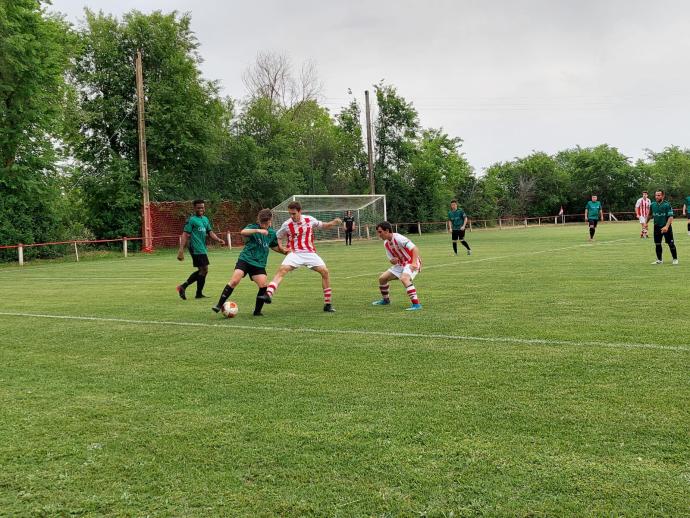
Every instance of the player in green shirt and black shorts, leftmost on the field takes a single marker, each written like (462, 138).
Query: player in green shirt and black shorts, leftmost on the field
(195, 231)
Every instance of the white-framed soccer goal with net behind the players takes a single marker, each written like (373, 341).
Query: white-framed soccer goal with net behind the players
(367, 210)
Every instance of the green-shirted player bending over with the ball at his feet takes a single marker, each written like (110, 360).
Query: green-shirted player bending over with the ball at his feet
(259, 237)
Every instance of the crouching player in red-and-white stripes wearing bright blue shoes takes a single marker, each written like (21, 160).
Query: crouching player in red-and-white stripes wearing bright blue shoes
(404, 256)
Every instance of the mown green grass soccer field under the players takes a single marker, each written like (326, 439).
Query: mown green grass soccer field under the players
(545, 376)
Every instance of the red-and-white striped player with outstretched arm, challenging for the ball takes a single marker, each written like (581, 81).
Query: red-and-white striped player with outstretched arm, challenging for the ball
(300, 236)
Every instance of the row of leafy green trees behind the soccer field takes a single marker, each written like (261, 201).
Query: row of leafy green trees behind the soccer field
(69, 144)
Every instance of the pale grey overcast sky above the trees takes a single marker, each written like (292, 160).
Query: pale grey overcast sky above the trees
(508, 77)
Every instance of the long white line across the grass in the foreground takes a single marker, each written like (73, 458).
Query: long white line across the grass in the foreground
(362, 332)
